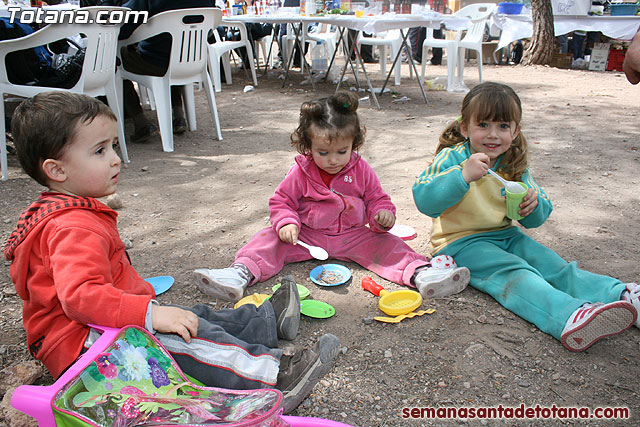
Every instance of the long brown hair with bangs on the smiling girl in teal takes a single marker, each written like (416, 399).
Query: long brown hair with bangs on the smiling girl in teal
(495, 102)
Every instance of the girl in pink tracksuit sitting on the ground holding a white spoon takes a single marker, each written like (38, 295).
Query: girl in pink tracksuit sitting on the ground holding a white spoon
(327, 199)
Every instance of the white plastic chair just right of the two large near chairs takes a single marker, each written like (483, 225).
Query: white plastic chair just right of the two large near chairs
(221, 51)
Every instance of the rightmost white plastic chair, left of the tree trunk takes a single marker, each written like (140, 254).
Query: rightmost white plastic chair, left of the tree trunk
(478, 13)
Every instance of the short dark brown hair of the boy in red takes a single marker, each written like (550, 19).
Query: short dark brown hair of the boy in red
(42, 126)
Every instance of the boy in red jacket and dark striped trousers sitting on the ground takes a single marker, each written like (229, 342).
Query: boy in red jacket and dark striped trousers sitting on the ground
(68, 260)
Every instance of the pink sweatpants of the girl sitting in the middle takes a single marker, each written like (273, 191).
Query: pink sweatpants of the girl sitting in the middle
(385, 254)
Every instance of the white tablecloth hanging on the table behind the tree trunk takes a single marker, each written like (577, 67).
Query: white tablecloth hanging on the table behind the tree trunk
(515, 27)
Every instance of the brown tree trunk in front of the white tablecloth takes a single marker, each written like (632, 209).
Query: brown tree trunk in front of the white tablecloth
(540, 49)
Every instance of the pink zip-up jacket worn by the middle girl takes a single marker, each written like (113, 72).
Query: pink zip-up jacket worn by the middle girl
(354, 198)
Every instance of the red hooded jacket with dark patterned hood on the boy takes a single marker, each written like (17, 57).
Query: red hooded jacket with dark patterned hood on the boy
(70, 268)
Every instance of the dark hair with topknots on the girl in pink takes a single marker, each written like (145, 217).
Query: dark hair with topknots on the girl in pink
(335, 114)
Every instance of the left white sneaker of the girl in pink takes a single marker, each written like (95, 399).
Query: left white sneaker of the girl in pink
(225, 283)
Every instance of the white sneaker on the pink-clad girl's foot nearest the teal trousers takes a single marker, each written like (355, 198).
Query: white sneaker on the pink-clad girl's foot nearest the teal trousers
(437, 283)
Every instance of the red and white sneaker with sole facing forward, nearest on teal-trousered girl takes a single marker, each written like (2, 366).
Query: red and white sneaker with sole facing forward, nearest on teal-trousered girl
(592, 322)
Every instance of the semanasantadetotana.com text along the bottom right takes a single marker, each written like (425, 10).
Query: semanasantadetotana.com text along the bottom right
(517, 412)
